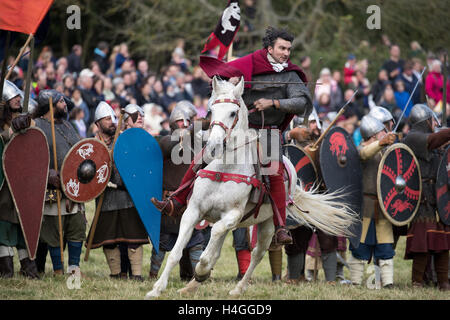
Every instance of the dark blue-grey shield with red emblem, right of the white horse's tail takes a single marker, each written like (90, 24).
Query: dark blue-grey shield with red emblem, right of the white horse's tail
(342, 172)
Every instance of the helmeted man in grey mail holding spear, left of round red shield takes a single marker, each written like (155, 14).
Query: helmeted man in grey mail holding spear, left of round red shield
(73, 218)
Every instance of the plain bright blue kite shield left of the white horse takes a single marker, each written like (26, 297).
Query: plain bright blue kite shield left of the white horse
(138, 158)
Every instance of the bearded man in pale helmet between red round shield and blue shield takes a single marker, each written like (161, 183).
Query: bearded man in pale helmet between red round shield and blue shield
(119, 221)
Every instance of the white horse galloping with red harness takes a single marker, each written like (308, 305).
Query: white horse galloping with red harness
(225, 203)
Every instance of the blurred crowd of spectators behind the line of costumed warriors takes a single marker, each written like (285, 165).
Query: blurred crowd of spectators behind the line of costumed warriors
(112, 75)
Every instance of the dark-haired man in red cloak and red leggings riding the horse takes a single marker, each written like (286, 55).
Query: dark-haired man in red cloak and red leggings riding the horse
(278, 99)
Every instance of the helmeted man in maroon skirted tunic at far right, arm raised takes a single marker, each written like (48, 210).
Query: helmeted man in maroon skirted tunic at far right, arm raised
(427, 235)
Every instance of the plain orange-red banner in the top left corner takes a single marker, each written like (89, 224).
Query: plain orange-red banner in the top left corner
(23, 15)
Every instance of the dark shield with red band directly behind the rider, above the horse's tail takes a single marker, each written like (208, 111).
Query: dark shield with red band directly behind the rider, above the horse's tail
(303, 164)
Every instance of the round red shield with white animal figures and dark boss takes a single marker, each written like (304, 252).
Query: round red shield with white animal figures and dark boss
(86, 170)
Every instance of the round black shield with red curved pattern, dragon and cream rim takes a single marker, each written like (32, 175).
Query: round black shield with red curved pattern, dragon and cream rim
(399, 184)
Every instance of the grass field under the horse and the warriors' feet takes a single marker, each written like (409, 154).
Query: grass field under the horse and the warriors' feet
(98, 285)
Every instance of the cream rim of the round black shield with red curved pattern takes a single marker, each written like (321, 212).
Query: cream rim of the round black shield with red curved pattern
(380, 167)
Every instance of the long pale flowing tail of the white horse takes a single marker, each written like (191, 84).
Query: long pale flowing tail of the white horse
(322, 211)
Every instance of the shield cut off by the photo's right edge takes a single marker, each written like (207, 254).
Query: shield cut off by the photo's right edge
(442, 188)
